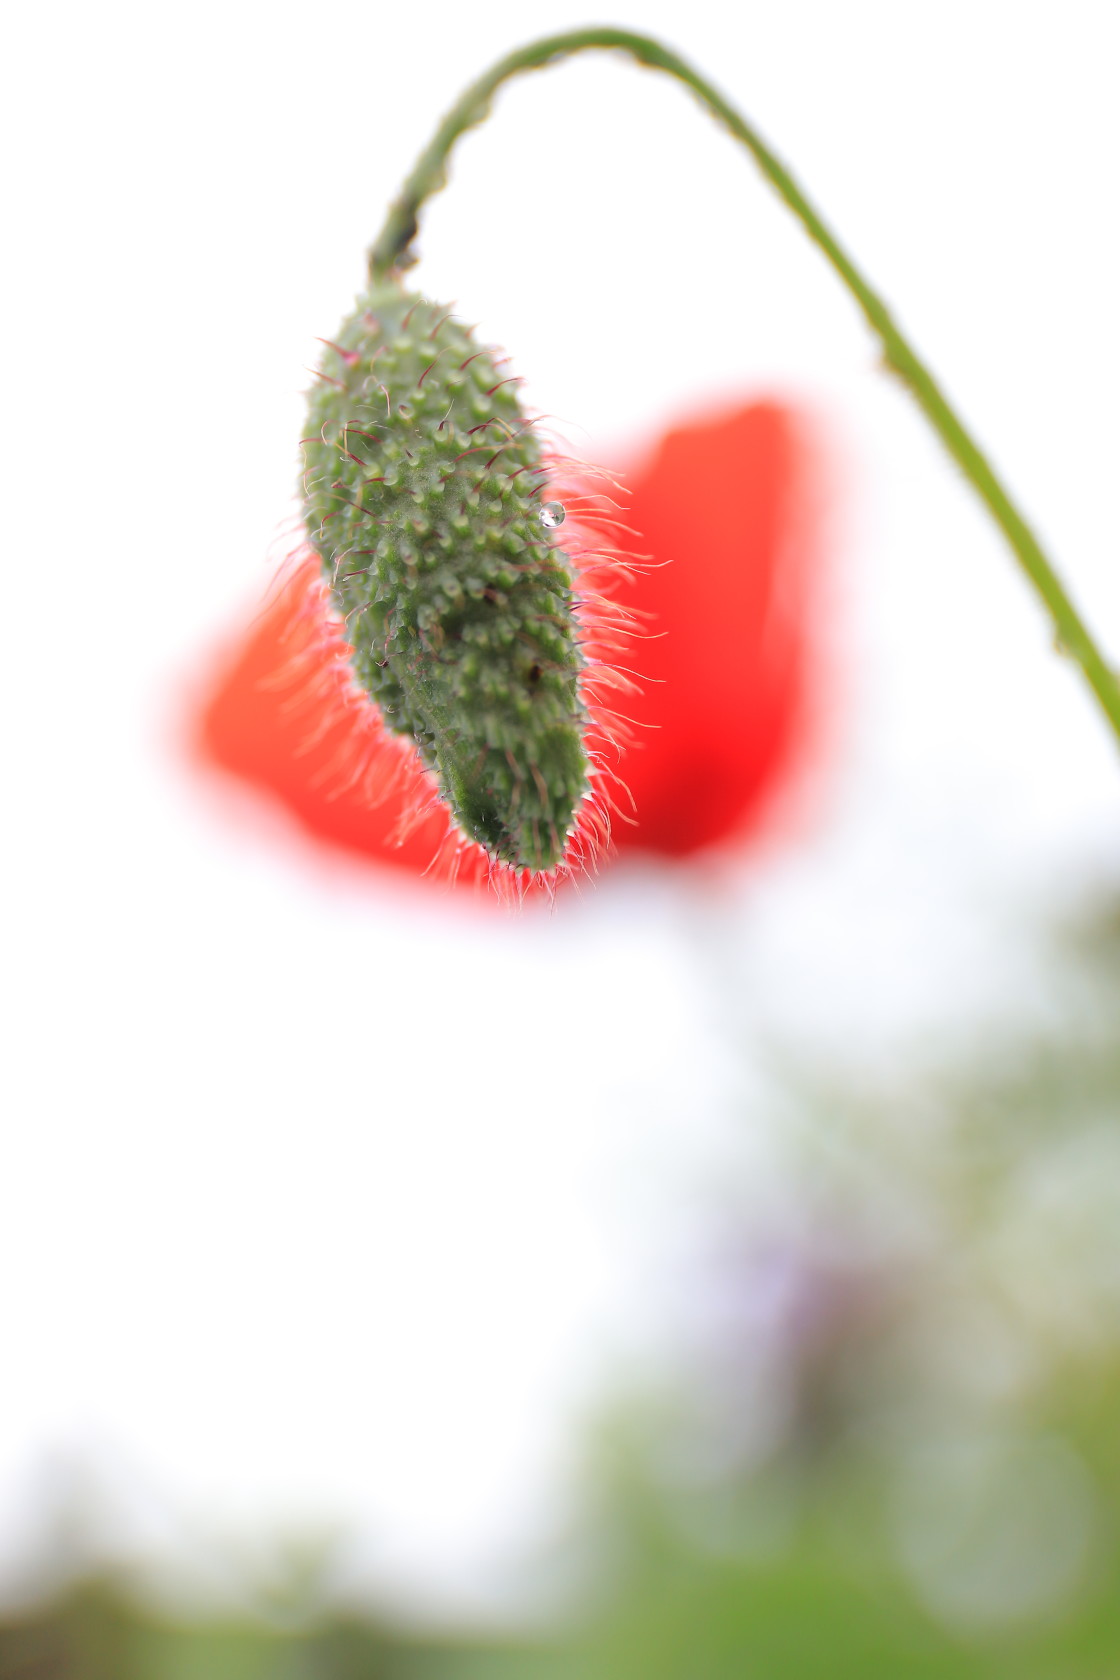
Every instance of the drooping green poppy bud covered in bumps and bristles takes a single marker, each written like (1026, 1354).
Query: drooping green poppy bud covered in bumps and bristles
(426, 501)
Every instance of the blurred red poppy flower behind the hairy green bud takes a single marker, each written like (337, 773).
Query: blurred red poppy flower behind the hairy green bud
(716, 520)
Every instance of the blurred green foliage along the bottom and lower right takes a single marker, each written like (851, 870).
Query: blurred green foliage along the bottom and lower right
(892, 1451)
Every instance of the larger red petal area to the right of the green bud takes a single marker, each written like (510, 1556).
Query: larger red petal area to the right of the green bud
(721, 508)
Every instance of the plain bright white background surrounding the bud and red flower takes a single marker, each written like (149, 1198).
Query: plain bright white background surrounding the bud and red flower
(327, 1202)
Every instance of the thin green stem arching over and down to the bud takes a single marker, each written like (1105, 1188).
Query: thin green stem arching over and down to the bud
(394, 251)
